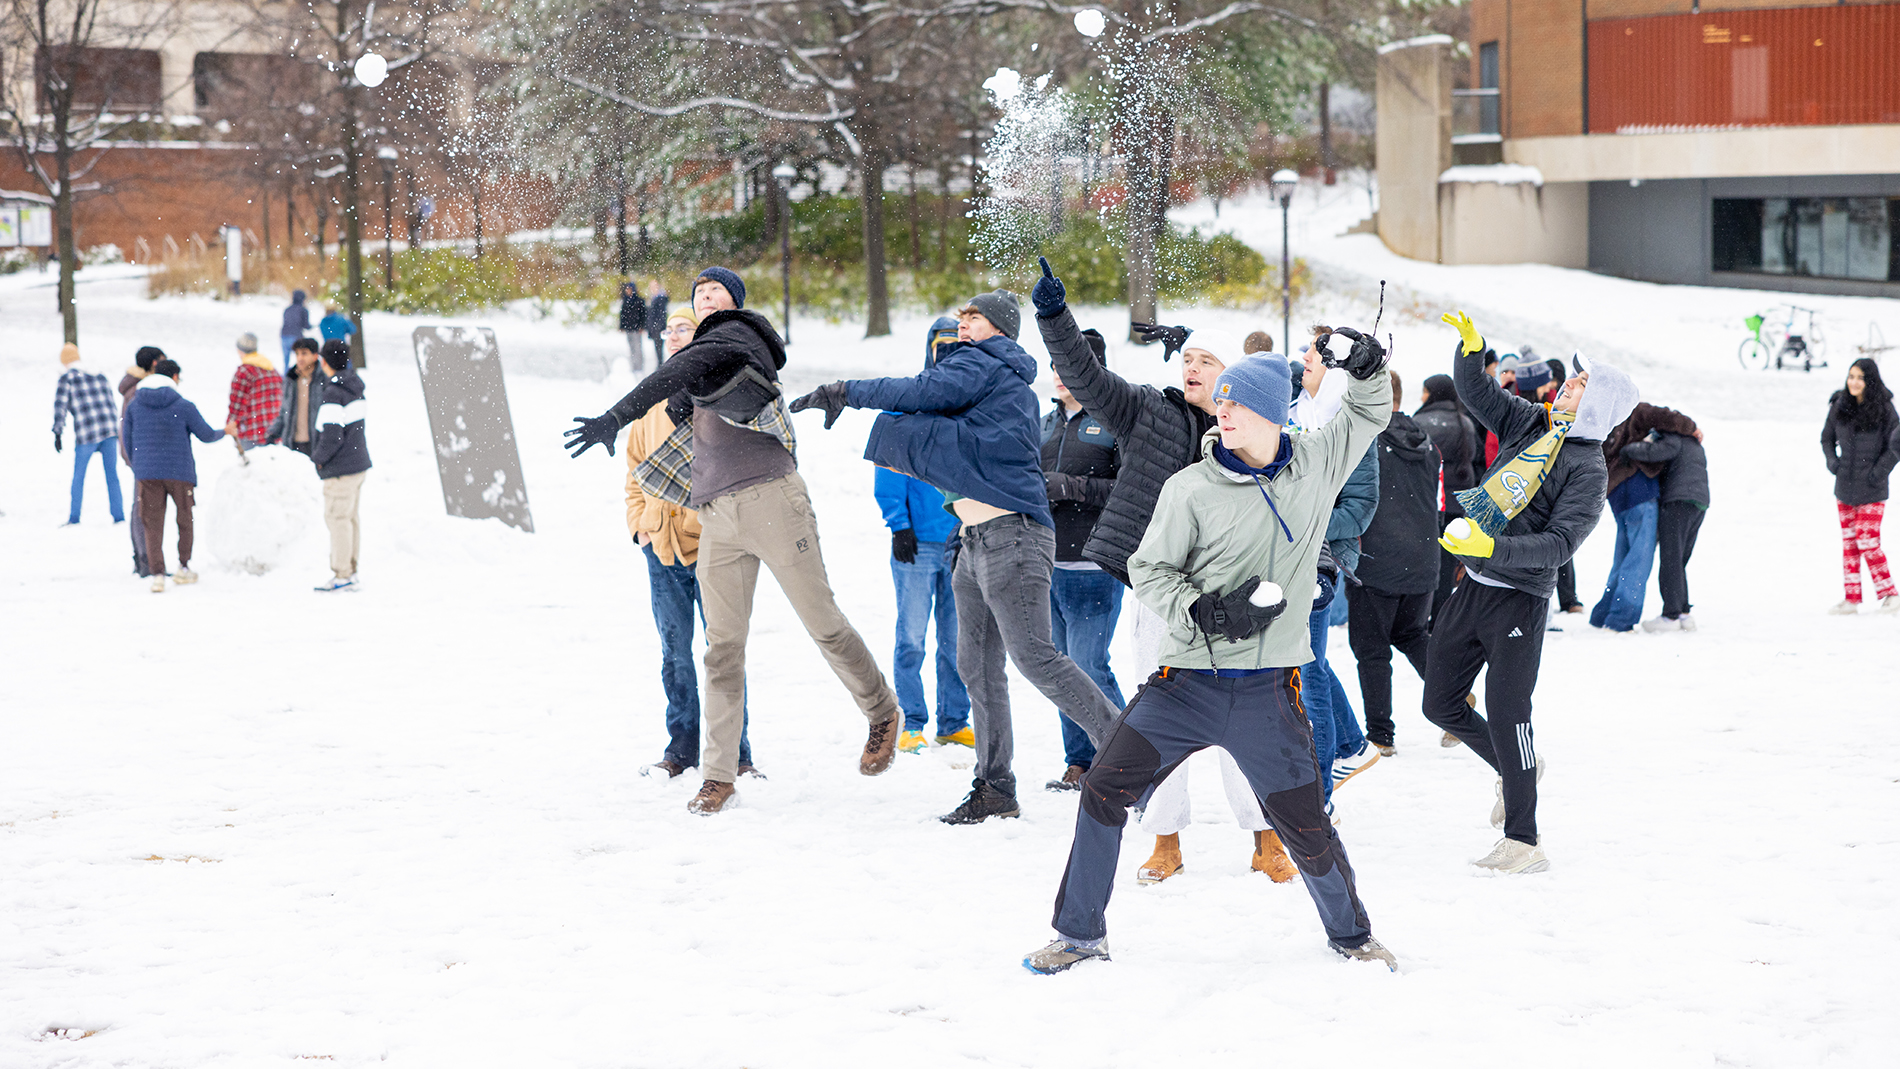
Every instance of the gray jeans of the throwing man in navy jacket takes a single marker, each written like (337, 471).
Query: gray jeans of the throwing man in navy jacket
(1002, 607)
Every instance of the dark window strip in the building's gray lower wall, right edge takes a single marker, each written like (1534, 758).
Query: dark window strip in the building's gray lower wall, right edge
(1829, 238)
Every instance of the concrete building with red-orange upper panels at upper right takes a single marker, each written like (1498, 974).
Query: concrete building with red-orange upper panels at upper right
(1679, 141)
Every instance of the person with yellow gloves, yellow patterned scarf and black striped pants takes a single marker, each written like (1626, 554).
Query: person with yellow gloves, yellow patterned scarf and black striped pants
(1525, 519)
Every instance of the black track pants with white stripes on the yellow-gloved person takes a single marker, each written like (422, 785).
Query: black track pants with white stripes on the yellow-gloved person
(1491, 626)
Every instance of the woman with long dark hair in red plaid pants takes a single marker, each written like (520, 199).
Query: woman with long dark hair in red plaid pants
(1863, 447)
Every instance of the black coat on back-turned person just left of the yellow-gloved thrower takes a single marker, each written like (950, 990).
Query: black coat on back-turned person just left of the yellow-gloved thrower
(1399, 552)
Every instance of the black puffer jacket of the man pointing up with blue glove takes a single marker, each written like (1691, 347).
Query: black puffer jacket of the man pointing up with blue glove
(1158, 432)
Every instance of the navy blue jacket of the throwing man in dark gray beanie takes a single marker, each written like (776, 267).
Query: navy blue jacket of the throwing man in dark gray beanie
(968, 426)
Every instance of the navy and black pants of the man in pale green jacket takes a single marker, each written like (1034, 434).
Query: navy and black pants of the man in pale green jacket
(1261, 722)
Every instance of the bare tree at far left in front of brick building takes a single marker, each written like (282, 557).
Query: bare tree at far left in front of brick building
(92, 84)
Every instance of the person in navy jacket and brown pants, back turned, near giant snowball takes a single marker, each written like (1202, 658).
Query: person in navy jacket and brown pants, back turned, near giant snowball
(161, 424)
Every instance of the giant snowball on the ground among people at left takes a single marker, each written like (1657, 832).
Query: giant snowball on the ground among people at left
(261, 512)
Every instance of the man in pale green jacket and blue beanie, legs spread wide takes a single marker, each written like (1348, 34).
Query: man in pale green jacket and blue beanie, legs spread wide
(1232, 540)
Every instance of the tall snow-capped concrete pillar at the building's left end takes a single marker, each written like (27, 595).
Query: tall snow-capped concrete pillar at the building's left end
(1415, 141)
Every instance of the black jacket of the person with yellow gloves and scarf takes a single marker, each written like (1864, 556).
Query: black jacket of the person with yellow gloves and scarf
(1567, 508)
